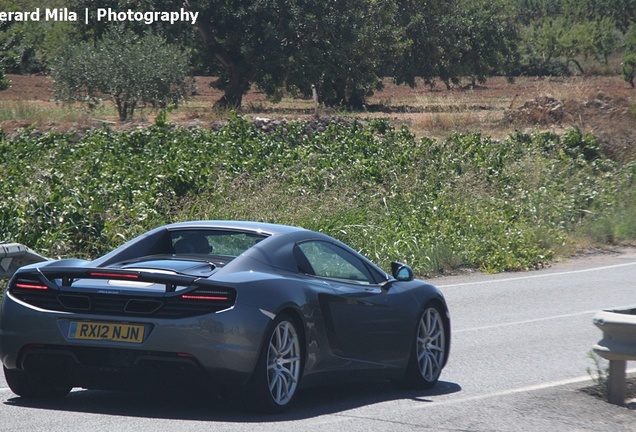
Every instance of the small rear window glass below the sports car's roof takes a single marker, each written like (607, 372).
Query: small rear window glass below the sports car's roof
(226, 243)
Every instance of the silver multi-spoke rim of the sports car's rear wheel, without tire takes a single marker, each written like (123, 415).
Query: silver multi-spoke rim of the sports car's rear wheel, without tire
(283, 363)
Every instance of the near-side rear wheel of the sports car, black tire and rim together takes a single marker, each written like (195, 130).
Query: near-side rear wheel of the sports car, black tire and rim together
(278, 369)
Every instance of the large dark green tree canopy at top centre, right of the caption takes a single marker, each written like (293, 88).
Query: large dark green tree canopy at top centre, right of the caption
(340, 47)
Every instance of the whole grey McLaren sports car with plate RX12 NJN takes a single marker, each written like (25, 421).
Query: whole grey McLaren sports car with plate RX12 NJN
(260, 307)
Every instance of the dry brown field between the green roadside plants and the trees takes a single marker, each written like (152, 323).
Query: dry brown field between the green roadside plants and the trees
(603, 105)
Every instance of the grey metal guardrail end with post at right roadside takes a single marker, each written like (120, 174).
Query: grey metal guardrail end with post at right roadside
(618, 345)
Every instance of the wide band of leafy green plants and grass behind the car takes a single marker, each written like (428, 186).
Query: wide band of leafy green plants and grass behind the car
(468, 200)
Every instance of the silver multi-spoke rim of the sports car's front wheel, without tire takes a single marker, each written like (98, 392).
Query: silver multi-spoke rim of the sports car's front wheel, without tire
(431, 344)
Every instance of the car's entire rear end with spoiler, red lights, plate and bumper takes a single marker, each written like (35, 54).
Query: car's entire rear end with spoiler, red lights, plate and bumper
(125, 329)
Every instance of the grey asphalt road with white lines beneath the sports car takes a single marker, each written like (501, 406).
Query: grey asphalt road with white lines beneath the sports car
(518, 362)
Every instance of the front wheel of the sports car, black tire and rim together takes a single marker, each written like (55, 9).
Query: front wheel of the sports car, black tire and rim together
(429, 350)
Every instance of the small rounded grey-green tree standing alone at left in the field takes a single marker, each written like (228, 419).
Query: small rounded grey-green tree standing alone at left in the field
(133, 71)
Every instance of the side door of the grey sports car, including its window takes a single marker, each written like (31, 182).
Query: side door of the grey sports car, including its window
(362, 319)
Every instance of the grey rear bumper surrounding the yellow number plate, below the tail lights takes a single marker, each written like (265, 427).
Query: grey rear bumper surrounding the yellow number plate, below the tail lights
(220, 348)
